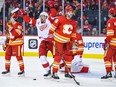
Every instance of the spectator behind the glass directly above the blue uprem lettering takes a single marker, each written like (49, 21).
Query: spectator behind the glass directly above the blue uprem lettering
(86, 28)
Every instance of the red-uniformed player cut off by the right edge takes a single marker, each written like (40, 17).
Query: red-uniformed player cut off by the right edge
(110, 44)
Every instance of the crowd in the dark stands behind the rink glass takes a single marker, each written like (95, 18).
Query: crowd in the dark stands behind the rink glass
(90, 13)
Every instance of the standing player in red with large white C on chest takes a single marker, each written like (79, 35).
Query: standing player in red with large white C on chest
(64, 30)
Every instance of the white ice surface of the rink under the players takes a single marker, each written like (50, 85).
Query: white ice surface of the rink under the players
(33, 69)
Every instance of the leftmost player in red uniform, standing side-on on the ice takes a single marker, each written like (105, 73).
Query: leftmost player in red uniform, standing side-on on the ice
(13, 44)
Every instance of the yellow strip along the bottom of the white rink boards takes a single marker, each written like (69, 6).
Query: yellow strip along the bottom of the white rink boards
(93, 56)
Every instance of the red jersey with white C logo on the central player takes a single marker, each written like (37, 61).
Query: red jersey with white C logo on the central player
(64, 30)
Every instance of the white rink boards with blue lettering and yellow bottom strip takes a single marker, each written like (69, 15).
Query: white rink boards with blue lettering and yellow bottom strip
(93, 46)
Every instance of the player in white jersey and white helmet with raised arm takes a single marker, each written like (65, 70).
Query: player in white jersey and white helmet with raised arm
(43, 26)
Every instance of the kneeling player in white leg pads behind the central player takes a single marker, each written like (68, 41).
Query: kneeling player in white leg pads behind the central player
(77, 65)
